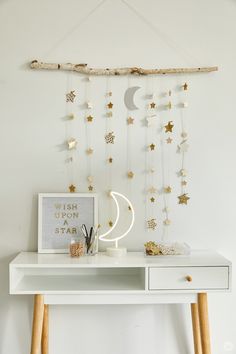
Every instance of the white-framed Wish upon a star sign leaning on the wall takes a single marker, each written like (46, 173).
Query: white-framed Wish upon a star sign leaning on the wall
(60, 217)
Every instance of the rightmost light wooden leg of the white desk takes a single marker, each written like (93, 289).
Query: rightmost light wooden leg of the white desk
(204, 323)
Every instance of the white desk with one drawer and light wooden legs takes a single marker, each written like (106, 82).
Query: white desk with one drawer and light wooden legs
(133, 279)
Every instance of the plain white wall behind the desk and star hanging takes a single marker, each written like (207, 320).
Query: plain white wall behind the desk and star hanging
(32, 105)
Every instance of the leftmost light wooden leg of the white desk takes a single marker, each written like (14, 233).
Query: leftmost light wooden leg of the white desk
(37, 324)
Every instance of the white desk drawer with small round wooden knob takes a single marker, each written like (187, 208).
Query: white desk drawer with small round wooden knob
(187, 278)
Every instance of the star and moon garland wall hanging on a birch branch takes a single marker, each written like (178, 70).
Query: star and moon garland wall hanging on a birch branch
(160, 144)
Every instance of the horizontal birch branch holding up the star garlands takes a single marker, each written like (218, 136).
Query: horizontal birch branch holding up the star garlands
(84, 69)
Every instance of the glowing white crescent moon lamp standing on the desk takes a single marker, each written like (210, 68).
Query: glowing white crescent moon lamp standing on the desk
(116, 251)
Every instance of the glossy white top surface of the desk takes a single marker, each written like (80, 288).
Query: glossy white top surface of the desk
(132, 259)
